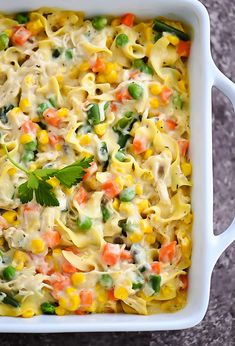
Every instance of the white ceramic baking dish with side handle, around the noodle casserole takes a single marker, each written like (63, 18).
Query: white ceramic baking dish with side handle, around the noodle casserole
(206, 246)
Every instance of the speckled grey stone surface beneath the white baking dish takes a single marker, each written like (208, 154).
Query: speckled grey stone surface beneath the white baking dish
(218, 326)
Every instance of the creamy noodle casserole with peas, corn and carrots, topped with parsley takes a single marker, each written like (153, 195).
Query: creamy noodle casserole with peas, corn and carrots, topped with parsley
(95, 177)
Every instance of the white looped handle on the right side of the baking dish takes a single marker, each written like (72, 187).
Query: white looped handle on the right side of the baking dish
(222, 241)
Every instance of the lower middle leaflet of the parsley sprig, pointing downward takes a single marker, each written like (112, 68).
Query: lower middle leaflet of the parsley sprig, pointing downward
(45, 195)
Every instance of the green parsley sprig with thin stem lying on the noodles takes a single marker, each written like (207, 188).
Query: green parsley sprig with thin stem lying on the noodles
(37, 180)
